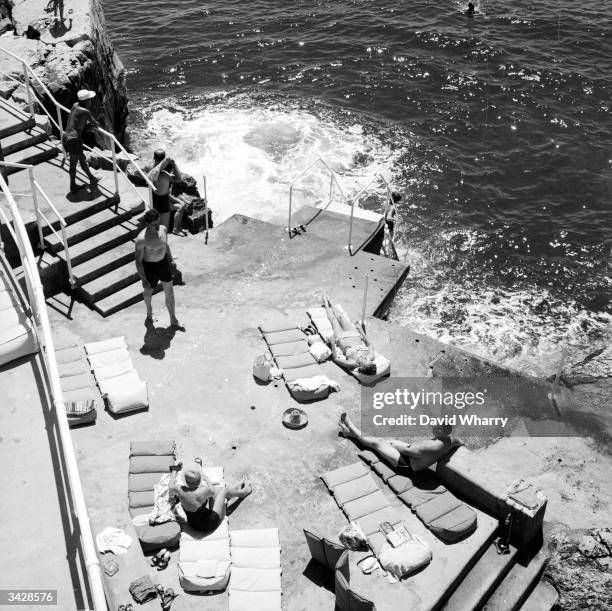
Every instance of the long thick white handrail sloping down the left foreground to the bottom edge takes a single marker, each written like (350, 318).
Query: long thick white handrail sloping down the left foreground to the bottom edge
(37, 301)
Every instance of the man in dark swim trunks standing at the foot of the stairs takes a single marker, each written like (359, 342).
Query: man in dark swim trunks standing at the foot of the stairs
(154, 264)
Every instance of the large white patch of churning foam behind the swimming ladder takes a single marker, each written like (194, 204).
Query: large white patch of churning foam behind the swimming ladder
(251, 155)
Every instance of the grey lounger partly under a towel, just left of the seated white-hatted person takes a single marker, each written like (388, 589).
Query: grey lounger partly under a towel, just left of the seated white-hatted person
(149, 460)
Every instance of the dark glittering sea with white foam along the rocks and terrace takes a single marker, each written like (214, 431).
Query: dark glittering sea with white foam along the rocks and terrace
(495, 127)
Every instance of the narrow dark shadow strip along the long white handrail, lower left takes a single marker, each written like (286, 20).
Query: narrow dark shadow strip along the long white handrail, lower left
(70, 524)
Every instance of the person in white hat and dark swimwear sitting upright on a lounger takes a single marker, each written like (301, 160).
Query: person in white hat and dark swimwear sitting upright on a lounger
(197, 494)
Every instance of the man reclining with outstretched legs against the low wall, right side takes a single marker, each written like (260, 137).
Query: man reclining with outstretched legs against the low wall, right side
(415, 456)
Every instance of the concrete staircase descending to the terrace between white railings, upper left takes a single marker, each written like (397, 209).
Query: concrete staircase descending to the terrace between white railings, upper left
(101, 225)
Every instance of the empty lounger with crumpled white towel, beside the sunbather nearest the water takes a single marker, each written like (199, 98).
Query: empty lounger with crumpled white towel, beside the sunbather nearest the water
(301, 372)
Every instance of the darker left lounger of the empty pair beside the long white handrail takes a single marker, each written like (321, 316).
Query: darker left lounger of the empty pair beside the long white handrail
(78, 385)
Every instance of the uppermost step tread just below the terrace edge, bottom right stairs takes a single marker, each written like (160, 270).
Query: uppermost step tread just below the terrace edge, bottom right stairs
(481, 581)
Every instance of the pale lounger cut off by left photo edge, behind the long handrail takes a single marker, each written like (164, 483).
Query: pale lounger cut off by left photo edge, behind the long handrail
(17, 335)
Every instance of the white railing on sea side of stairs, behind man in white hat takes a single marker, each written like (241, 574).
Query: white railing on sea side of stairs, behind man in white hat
(27, 73)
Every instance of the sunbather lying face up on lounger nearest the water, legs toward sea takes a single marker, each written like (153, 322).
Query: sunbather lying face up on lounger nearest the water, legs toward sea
(350, 346)
